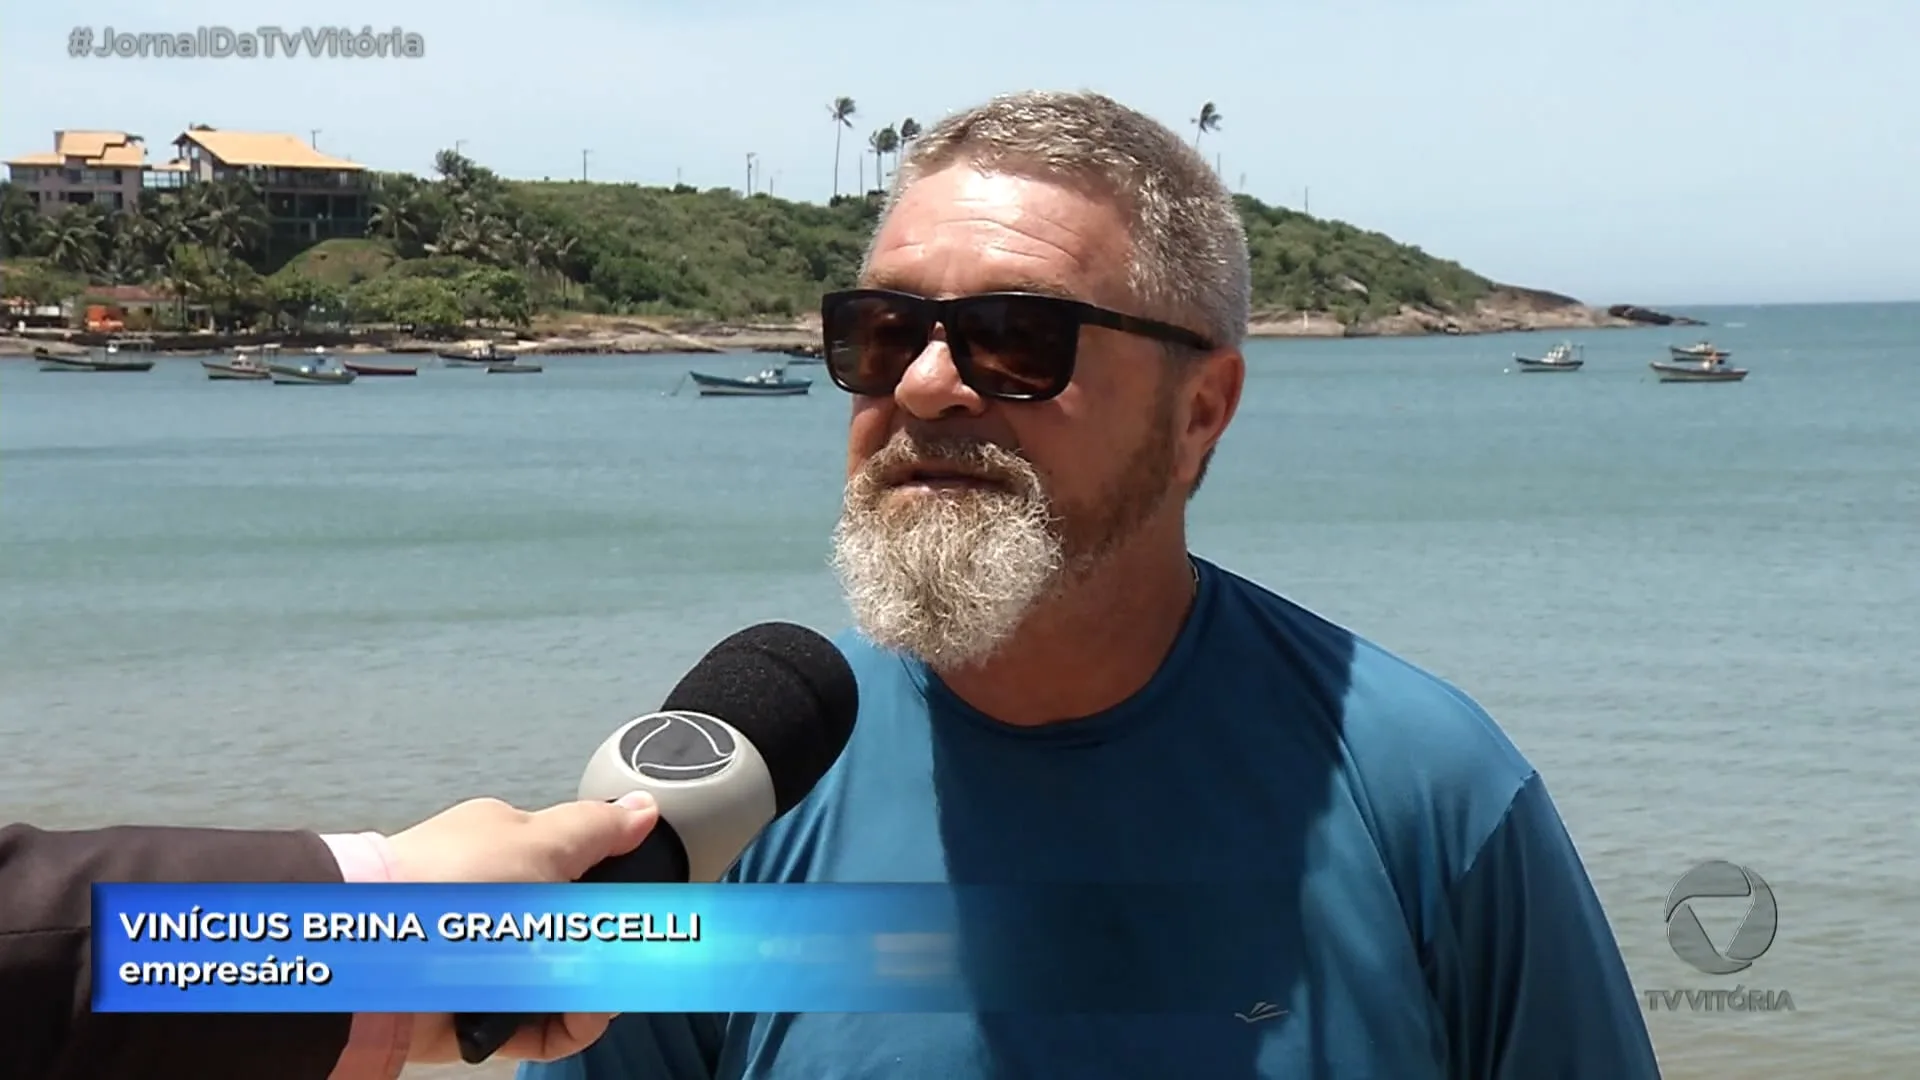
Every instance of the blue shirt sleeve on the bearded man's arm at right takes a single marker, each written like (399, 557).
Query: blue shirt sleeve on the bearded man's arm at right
(1525, 968)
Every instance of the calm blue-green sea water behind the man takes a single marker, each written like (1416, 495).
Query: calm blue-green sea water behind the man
(1692, 606)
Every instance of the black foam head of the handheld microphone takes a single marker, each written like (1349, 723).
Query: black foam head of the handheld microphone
(788, 691)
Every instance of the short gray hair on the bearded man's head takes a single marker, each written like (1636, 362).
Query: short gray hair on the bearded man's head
(1188, 260)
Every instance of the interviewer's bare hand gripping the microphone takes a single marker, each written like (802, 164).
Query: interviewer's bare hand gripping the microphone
(487, 841)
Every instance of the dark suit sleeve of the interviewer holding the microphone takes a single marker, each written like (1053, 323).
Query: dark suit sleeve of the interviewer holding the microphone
(47, 958)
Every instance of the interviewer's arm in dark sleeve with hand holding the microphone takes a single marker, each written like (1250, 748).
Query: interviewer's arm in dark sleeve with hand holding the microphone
(47, 946)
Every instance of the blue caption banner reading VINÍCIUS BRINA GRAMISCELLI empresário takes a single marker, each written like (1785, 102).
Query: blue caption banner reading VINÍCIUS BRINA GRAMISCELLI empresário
(679, 948)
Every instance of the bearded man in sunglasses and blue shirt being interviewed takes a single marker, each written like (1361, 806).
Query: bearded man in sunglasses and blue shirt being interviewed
(1044, 355)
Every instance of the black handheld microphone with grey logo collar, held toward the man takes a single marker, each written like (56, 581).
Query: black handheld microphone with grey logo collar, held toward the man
(738, 743)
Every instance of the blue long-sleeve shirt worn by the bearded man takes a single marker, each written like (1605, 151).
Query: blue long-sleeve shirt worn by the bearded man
(1429, 914)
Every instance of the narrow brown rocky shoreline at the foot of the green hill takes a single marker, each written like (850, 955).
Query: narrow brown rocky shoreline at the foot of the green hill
(1506, 310)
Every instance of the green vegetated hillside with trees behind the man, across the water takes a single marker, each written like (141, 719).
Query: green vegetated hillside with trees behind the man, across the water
(473, 247)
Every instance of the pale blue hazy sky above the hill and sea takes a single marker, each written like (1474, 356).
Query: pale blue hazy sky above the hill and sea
(1616, 151)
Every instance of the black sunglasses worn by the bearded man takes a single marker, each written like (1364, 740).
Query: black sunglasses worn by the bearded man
(1013, 347)
